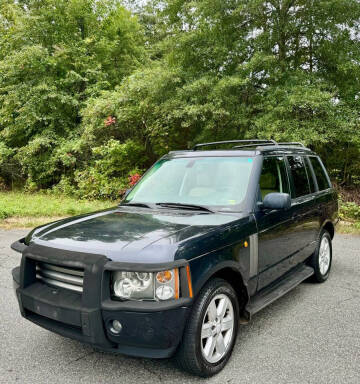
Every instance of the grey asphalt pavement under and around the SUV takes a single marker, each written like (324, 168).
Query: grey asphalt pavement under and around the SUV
(311, 335)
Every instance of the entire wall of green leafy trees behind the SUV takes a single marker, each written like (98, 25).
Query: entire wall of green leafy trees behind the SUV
(90, 93)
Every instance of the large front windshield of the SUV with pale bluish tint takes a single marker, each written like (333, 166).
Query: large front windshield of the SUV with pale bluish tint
(219, 182)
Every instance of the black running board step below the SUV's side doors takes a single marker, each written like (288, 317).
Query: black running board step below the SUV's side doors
(280, 288)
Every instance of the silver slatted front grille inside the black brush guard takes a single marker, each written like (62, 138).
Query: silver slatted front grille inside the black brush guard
(58, 276)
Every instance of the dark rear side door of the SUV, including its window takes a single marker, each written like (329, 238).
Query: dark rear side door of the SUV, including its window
(304, 208)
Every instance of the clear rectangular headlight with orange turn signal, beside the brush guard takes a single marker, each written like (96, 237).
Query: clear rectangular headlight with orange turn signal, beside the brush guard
(163, 285)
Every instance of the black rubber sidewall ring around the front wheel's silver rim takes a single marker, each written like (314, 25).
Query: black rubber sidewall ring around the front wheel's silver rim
(222, 287)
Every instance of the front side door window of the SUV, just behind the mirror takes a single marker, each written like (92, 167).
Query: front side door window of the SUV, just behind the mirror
(273, 176)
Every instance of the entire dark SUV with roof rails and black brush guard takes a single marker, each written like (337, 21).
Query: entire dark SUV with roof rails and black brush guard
(203, 241)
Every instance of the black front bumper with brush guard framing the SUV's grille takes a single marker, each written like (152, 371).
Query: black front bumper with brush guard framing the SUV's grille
(149, 329)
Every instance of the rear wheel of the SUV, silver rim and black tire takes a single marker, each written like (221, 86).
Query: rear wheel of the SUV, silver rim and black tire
(321, 259)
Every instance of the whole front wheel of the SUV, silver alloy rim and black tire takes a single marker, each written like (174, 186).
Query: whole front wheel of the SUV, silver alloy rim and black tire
(195, 353)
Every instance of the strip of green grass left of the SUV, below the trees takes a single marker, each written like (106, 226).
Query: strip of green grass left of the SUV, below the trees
(25, 210)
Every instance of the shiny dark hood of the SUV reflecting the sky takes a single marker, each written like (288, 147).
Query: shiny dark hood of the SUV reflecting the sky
(131, 234)
